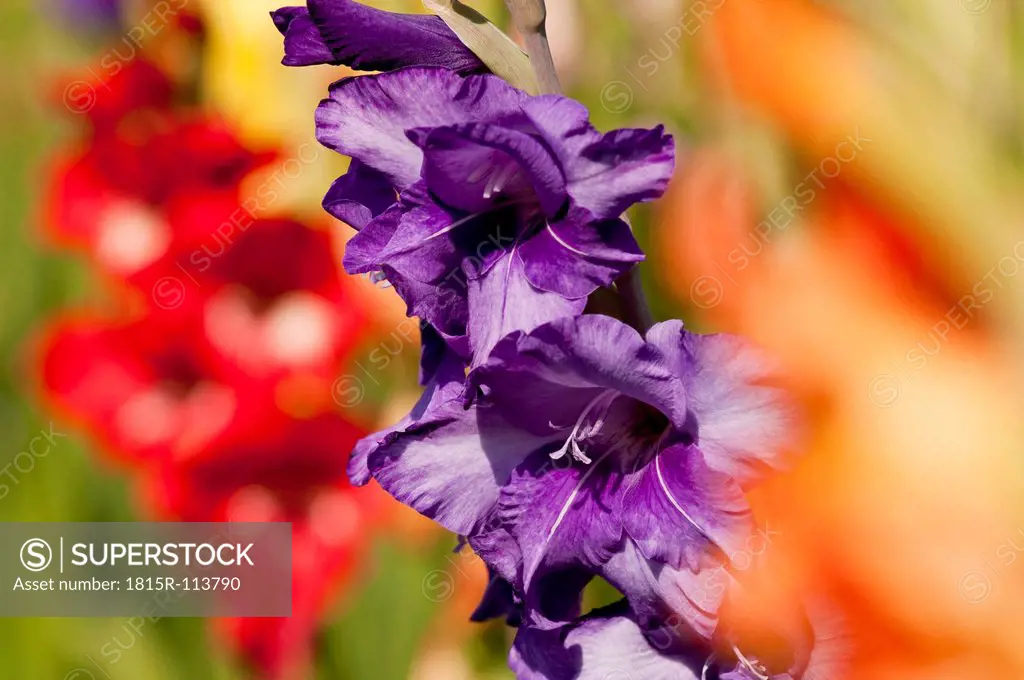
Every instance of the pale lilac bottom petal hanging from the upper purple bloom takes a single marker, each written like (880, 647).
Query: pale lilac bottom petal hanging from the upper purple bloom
(502, 302)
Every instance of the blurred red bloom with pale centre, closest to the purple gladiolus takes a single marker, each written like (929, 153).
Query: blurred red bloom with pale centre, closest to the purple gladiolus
(274, 302)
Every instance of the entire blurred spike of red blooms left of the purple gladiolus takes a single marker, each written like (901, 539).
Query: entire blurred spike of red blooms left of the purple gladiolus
(243, 326)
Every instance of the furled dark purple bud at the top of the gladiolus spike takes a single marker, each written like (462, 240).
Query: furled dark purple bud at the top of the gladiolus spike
(346, 32)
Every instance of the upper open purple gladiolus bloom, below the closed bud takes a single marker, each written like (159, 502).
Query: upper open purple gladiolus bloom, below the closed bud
(508, 210)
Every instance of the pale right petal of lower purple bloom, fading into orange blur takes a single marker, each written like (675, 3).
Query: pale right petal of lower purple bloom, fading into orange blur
(746, 422)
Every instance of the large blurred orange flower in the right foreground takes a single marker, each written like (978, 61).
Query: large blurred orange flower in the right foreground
(905, 513)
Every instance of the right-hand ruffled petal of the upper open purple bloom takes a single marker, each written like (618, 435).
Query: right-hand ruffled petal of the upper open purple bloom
(607, 174)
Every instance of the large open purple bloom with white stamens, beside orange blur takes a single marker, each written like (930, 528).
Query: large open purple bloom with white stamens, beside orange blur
(588, 450)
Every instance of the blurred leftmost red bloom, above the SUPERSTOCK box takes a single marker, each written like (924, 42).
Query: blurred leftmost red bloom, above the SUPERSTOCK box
(147, 389)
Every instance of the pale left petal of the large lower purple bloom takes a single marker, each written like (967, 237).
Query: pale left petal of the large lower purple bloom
(452, 465)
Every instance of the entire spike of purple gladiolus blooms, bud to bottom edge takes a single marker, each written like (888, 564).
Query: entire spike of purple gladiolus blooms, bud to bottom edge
(575, 447)
